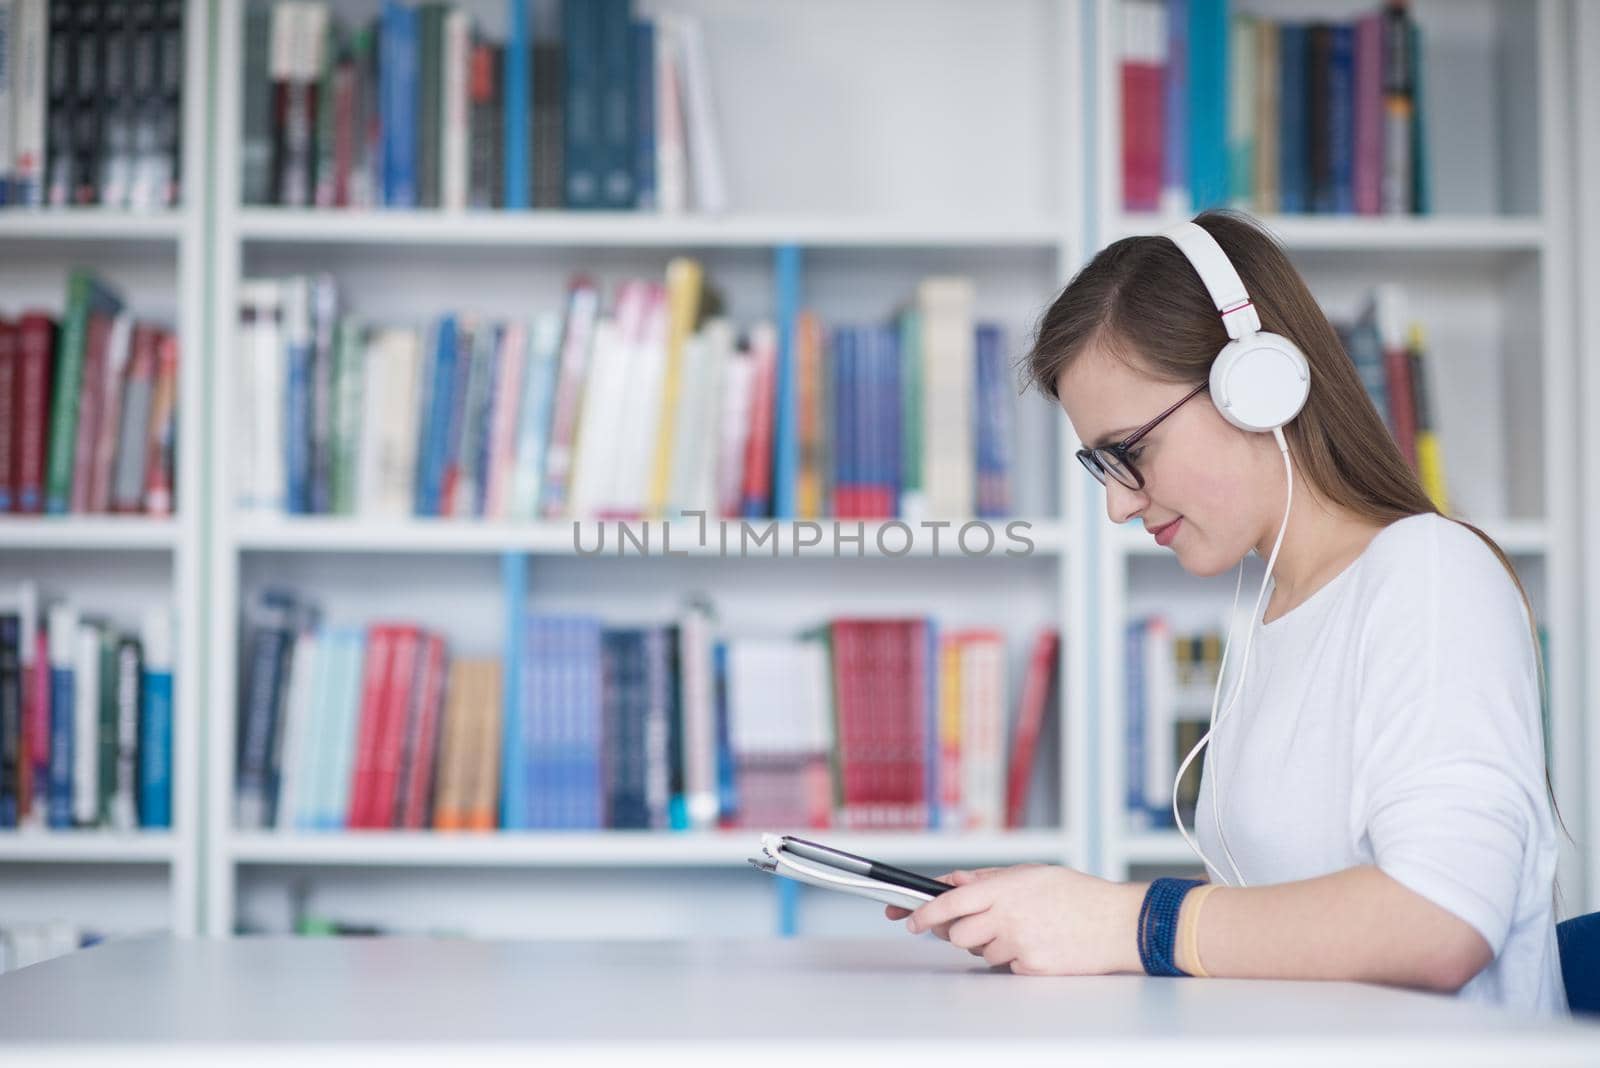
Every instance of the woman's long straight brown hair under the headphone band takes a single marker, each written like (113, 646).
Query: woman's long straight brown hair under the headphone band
(1142, 301)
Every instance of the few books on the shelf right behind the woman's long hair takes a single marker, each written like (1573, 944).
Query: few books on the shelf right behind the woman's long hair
(1390, 354)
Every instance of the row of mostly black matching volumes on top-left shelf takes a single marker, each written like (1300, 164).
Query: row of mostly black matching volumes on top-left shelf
(90, 103)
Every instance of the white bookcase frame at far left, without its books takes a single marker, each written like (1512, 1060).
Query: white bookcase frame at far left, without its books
(124, 882)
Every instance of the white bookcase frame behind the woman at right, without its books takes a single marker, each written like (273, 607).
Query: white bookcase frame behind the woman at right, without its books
(1489, 276)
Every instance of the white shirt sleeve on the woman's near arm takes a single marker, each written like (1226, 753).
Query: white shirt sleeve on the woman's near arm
(1450, 762)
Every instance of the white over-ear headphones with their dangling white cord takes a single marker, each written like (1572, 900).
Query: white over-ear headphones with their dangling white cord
(1260, 383)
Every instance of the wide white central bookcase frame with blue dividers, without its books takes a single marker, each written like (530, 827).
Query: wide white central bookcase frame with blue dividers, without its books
(863, 207)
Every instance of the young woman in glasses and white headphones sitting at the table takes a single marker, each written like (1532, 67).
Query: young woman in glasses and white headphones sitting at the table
(1375, 802)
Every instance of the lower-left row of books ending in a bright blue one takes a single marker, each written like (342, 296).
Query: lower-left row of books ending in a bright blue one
(86, 717)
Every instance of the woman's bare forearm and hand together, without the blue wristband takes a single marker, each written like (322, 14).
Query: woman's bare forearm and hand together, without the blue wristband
(1354, 925)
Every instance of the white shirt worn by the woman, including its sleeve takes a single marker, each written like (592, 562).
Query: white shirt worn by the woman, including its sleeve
(1393, 720)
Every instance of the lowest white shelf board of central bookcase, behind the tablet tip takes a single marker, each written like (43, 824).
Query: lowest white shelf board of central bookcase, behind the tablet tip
(625, 850)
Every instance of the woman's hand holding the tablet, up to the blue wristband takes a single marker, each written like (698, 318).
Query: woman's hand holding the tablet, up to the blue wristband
(1039, 920)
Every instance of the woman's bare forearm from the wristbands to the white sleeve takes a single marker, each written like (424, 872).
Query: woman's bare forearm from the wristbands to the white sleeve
(1353, 925)
